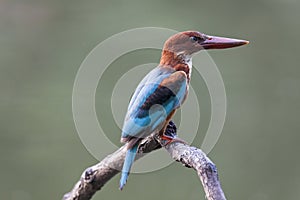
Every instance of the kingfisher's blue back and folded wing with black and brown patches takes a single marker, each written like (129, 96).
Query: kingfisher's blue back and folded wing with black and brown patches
(160, 92)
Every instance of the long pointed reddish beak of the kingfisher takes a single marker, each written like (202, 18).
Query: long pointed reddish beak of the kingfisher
(214, 42)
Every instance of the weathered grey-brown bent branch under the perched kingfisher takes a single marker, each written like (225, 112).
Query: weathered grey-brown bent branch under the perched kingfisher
(93, 178)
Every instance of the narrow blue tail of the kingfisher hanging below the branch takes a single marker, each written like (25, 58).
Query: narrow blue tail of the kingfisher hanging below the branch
(129, 159)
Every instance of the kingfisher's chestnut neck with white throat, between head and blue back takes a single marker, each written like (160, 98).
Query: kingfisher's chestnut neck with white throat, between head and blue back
(178, 61)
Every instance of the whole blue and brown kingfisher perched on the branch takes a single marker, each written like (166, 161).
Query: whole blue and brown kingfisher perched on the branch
(163, 90)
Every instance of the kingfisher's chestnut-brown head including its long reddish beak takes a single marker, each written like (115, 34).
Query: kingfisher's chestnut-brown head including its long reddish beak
(189, 42)
